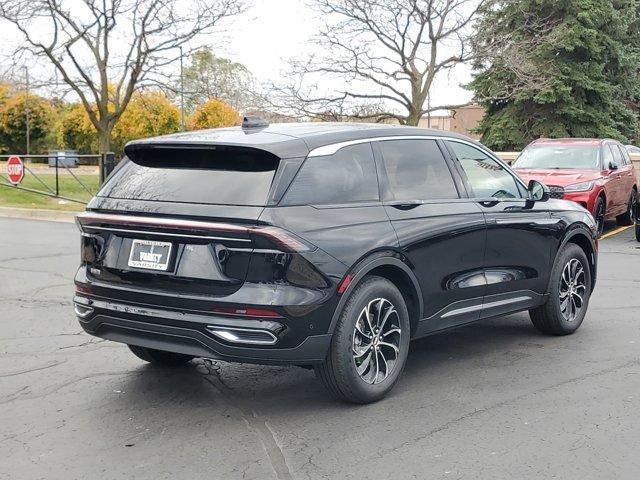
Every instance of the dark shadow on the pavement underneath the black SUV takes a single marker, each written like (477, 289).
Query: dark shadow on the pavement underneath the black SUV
(488, 344)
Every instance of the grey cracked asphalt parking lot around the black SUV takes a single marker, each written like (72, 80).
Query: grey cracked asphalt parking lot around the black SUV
(490, 401)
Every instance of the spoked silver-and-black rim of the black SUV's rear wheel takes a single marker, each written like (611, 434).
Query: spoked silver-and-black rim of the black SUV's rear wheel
(376, 341)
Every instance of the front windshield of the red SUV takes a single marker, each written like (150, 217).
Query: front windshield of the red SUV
(559, 157)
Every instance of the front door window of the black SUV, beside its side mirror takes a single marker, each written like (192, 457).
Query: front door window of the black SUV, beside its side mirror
(486, 177)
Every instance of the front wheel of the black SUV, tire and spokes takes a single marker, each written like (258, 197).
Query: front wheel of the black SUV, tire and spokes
(549, 318)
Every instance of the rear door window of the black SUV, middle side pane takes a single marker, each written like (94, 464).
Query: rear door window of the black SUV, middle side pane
(416, 170)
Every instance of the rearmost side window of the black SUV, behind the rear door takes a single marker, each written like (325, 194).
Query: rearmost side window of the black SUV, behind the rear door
(347, 176)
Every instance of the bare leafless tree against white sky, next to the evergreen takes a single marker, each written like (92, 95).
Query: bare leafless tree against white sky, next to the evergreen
(388, 51)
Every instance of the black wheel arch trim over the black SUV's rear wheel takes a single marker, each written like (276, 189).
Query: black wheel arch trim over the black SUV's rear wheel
(388, 266)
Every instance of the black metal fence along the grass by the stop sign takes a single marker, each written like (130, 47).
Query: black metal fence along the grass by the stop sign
(59, 165)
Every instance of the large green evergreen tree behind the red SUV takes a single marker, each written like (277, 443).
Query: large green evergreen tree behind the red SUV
(549, 68)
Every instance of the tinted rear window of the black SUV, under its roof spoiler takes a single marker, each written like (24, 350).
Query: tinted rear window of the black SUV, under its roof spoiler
(220, 175)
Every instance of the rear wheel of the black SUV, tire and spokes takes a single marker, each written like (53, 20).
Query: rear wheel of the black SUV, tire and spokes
(339, 373)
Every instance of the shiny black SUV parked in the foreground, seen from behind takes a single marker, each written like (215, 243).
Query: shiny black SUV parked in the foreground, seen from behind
(323, 245)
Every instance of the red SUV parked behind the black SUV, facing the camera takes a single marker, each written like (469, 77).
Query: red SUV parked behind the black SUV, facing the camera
(597, 174)
